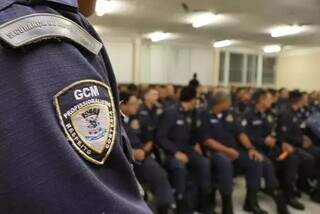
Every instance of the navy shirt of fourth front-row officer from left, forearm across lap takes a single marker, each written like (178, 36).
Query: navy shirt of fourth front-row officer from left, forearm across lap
(223, 128)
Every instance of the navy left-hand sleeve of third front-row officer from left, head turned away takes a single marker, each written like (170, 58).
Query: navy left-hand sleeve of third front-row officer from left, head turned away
(166, 121)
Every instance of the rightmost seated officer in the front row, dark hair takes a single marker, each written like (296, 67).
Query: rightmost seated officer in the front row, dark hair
(289, 130)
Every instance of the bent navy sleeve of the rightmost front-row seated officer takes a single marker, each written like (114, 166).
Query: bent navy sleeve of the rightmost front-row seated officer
(284, 131)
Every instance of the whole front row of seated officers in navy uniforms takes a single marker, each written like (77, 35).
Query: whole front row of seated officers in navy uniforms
(186, 152)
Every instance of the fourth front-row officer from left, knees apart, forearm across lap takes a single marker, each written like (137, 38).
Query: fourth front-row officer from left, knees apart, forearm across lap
(220, 134)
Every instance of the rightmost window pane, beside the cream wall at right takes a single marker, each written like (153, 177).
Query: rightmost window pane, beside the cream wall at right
(269, 70)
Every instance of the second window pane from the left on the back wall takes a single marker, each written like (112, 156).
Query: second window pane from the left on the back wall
(236, 65)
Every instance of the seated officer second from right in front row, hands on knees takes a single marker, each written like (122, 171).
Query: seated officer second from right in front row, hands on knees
(258, 124)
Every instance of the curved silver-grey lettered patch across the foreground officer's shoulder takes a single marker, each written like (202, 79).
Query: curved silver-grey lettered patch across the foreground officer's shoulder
(41, 26)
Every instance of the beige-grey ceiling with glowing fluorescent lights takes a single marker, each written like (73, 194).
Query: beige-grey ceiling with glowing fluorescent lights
(247, 21)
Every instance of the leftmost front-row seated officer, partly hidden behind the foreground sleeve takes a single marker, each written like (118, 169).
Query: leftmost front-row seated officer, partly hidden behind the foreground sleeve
(147, 170)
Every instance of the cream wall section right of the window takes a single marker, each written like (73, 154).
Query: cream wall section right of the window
(299, 69)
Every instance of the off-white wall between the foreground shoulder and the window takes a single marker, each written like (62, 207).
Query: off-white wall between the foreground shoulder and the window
(159, 62)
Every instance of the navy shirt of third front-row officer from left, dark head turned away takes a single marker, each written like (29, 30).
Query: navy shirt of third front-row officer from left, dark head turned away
(174, 132)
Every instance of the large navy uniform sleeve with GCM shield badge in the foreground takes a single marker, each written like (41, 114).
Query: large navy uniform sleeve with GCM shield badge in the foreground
(41, 171)
